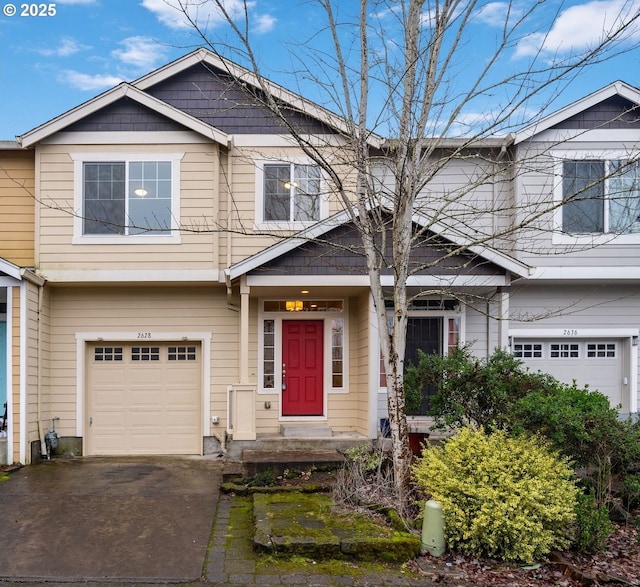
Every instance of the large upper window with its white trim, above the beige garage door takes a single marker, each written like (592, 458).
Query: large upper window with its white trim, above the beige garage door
(126, 197)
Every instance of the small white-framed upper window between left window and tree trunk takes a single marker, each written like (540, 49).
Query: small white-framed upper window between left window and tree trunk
(289, 193)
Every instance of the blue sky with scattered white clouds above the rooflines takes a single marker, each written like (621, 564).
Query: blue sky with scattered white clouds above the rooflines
(55, 56)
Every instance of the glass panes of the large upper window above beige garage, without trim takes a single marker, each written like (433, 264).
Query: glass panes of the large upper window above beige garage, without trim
(127, 197)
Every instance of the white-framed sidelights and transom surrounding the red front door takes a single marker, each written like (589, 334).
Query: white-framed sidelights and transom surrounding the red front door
(273, 312)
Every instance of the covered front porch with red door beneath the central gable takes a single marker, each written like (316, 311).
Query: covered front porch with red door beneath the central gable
(309, 352)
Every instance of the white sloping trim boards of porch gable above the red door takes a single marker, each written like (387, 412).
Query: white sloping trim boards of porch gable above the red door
(316, 231)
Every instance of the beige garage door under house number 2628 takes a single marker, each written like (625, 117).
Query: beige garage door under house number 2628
(143, 399)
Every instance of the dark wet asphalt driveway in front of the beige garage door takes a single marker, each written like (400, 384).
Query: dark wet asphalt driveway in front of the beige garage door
(106, 518)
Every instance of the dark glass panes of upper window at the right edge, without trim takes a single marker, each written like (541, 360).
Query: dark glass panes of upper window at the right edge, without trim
(600, 196)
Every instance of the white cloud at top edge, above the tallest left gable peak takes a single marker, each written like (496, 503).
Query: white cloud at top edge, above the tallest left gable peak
(205, 14)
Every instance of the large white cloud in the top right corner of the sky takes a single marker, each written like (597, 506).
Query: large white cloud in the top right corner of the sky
(580, 27)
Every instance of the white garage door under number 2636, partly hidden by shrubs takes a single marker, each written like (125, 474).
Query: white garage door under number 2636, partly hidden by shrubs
(593, 362)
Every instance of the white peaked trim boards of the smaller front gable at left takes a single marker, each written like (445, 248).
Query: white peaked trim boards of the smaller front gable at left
(123, 90)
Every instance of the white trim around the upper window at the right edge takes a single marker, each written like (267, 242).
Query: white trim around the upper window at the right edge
(587, 239)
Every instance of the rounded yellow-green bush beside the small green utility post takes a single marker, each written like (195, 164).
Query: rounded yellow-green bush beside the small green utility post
(507, 498)
